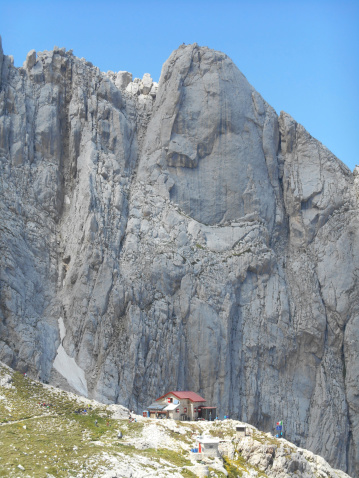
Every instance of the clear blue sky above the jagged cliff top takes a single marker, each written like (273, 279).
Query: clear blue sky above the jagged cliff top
(301, 56)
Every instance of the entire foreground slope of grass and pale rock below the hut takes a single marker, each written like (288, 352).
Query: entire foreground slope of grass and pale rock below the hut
(90, 444)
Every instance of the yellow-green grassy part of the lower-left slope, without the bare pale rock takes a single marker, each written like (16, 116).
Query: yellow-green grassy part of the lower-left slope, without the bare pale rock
(57, 441)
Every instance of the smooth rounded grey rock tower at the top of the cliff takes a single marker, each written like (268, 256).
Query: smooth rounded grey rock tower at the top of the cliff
(210, 131)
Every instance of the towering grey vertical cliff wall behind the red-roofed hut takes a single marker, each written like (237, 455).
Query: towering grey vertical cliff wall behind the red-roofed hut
(179, 236)
